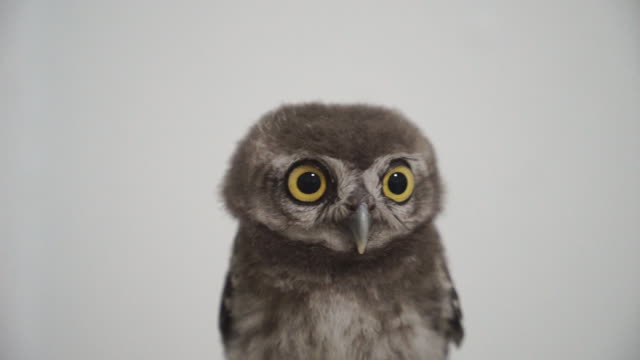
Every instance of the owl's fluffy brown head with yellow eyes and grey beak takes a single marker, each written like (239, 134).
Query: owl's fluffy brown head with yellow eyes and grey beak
(350, 178)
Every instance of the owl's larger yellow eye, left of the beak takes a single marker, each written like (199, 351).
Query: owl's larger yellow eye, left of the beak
(307, 183)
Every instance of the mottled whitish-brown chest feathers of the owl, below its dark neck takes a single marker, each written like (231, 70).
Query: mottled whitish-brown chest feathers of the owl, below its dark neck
(334, 326)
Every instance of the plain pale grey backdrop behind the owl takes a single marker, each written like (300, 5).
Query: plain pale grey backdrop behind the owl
(119, 117)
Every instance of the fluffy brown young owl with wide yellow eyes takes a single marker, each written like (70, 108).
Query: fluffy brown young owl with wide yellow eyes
(336, 254)
